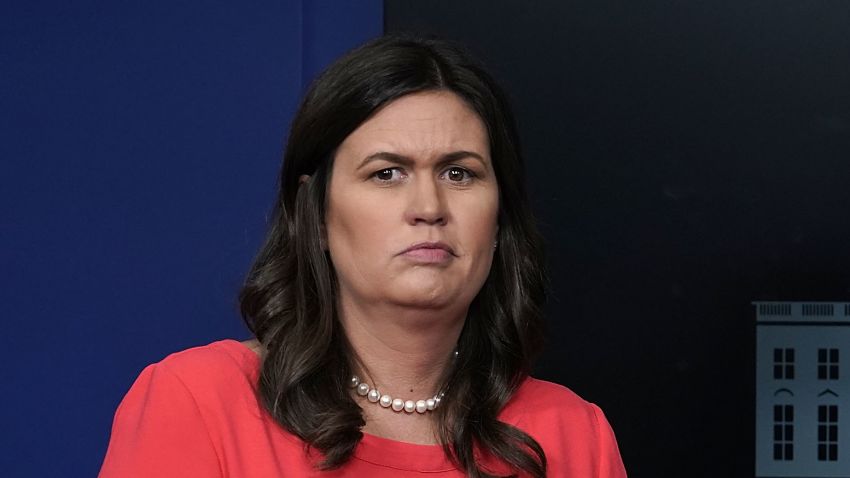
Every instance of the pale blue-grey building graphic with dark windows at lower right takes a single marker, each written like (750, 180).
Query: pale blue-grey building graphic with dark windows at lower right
(802, 389)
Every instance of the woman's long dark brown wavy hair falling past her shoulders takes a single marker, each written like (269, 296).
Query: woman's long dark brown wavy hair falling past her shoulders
(289, 299)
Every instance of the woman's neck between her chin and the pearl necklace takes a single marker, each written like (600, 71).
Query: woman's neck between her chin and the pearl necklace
(402, 351)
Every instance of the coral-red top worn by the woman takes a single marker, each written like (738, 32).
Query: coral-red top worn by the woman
(196, 414)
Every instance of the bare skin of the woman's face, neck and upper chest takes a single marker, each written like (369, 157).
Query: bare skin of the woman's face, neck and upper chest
(418, 170)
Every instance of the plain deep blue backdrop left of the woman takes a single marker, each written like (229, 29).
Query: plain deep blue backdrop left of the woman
(140, 147)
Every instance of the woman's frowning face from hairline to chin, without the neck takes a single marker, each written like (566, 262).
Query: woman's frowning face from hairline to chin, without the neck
(412, 205)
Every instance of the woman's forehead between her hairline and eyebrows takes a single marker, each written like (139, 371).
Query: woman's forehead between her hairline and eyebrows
(419, 125)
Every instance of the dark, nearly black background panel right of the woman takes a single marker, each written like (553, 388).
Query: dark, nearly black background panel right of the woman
(685, 159)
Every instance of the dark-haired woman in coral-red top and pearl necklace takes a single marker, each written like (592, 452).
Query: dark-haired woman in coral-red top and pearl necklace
(396, 302)
